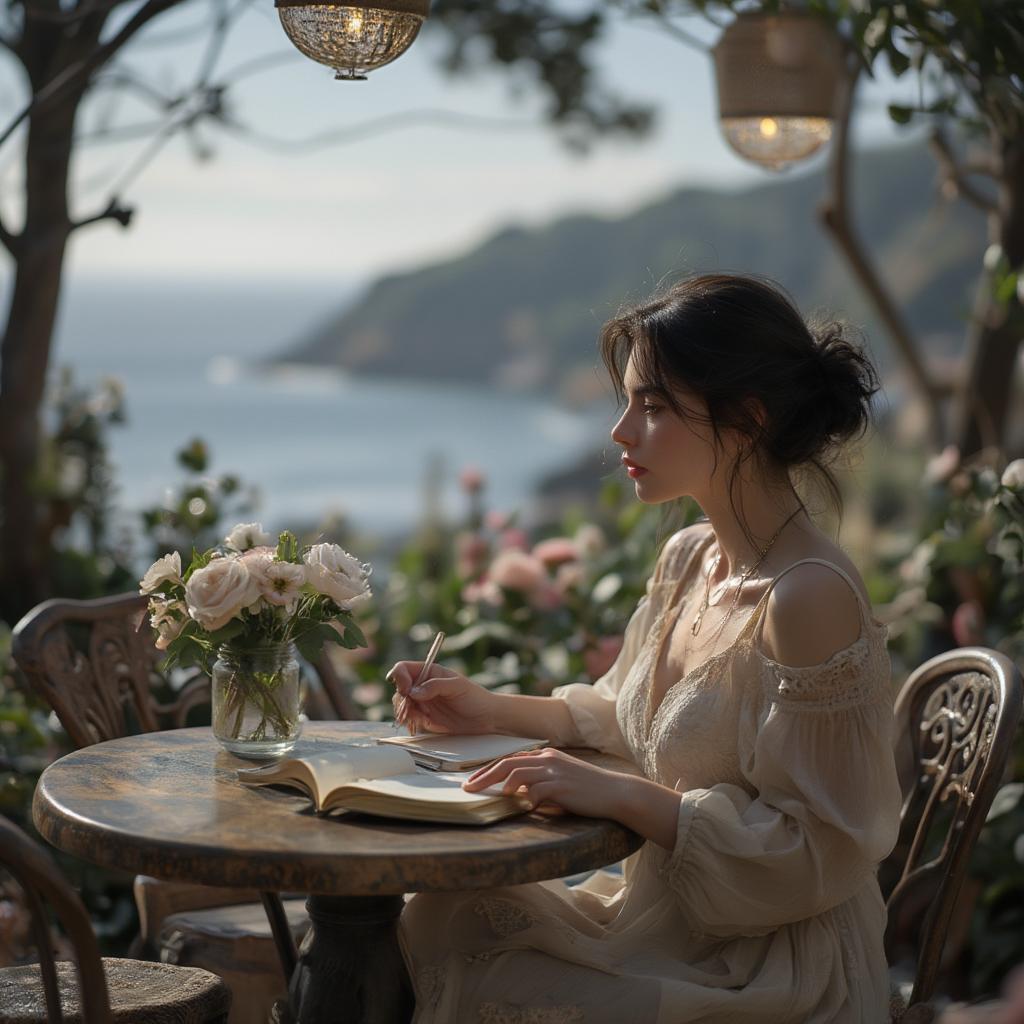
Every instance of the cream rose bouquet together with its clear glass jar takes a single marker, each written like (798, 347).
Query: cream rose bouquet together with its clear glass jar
(240, 611)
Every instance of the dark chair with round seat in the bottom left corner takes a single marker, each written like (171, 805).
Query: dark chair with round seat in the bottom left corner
(143, 993)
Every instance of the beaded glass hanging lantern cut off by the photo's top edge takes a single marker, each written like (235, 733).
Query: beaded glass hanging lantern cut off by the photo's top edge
(353, 37)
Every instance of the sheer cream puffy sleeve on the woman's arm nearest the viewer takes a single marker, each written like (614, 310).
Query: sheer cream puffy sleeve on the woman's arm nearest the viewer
(822, 810)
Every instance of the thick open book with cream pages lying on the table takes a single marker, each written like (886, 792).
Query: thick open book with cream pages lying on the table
(387, 782)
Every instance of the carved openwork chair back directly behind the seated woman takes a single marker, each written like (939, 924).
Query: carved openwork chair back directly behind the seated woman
(959, 713)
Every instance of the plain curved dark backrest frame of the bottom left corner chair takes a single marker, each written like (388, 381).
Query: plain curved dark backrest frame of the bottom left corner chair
(41, 883)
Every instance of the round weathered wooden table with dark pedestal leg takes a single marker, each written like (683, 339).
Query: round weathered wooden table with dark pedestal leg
(169, 804)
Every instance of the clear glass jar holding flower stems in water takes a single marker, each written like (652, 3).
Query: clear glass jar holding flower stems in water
(257, 701)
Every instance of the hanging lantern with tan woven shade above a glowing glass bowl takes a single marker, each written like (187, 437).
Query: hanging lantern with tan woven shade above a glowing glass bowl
(778, 80)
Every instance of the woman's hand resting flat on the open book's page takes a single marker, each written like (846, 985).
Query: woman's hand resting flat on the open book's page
(550, 777)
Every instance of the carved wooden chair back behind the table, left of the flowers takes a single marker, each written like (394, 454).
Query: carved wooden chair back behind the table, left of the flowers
(95, 663)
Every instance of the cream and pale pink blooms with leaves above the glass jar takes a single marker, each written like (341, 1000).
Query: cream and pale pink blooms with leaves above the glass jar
(246, 593)
